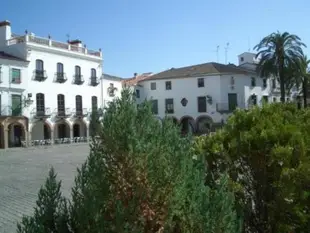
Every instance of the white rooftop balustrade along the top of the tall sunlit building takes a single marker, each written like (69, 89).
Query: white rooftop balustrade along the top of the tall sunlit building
(47, 42)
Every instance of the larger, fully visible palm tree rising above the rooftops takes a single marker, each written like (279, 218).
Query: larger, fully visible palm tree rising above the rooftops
(278, 52)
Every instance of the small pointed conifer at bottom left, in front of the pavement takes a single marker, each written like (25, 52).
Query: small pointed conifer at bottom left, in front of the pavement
(50, 214)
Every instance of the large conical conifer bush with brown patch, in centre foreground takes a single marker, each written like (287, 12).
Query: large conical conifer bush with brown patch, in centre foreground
(140, 177)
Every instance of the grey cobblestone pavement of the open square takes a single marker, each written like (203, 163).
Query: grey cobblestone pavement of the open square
(23, 171)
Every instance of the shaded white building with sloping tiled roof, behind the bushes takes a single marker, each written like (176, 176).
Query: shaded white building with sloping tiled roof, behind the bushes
(202, 97)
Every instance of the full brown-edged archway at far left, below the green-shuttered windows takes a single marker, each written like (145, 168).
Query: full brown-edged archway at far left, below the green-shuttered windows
(16, 134)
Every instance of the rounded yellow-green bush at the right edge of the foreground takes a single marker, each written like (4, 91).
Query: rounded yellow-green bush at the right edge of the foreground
(266, 151)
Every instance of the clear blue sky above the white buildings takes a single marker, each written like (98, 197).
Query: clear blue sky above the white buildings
(151, 36)
